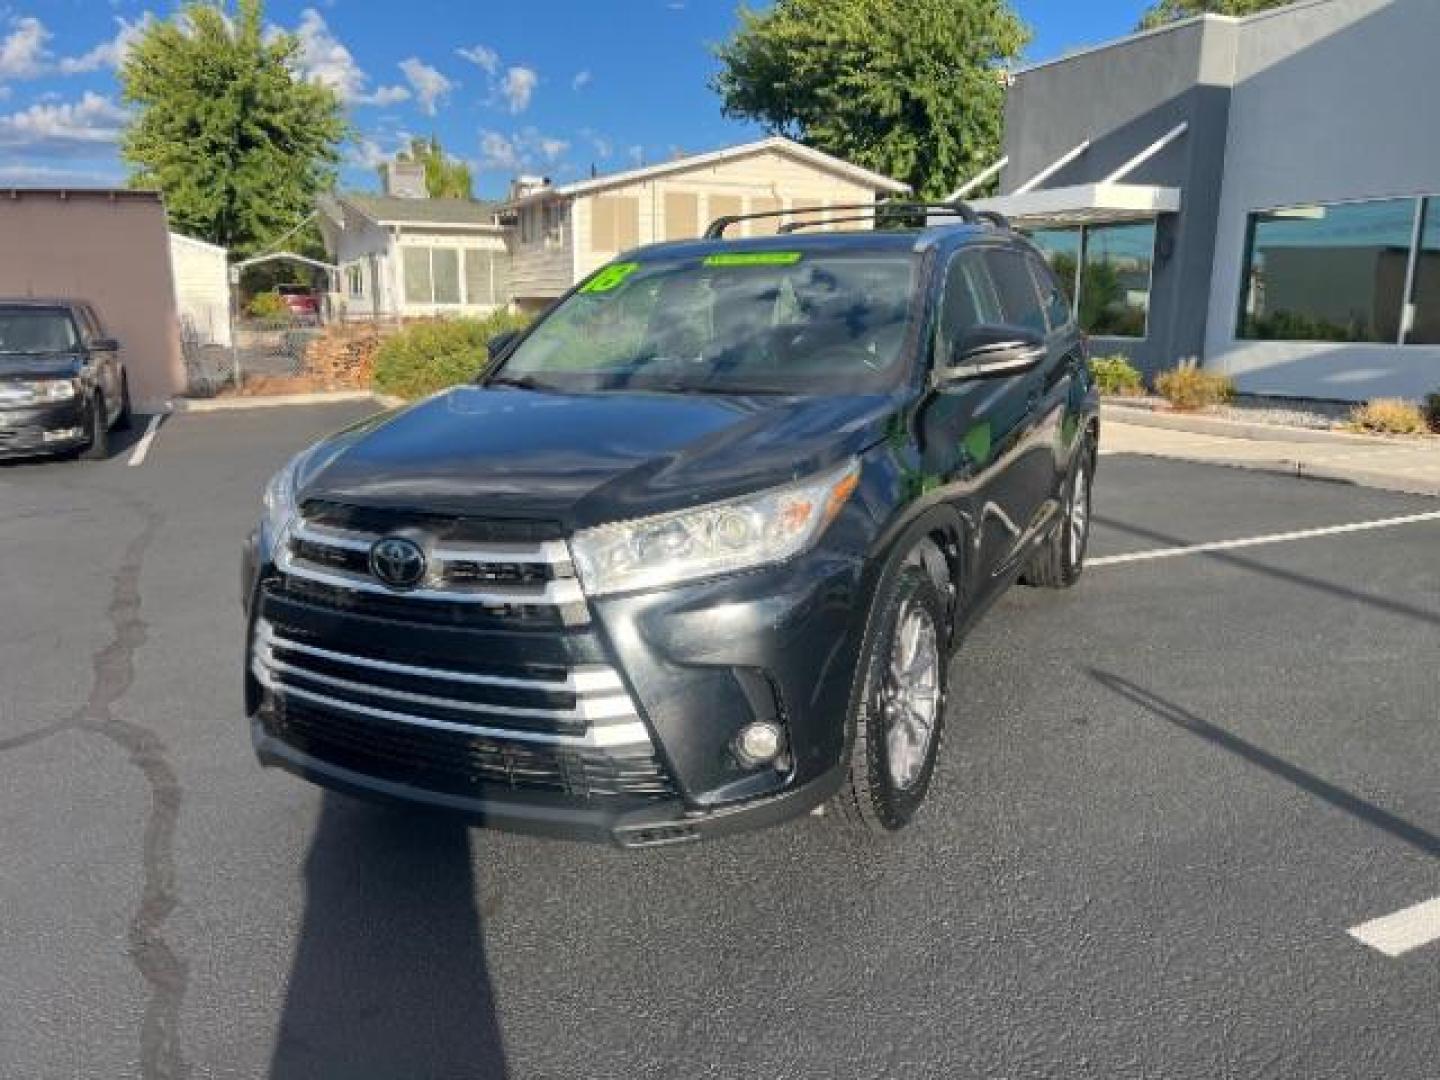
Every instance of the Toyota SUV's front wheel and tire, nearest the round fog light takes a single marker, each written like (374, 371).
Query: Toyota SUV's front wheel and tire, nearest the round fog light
(899, 714)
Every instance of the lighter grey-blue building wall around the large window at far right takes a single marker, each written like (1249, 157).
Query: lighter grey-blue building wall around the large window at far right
(1333, 103)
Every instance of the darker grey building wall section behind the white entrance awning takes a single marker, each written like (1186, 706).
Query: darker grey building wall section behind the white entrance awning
(1124, 99)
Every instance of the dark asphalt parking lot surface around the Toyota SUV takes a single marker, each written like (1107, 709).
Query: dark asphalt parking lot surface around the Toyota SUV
(1166, 800)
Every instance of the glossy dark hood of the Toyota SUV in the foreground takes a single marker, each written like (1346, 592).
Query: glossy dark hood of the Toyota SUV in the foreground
(588, 459)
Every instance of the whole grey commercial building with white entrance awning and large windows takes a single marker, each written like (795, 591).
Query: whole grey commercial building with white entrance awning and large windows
(1259, 194)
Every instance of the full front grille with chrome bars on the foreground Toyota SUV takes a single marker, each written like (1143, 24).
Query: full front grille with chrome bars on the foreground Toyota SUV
(487, 673)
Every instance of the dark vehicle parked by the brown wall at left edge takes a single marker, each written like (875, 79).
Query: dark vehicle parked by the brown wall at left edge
(63, 387)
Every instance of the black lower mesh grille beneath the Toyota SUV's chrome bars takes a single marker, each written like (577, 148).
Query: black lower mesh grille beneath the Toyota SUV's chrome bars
(466, 765)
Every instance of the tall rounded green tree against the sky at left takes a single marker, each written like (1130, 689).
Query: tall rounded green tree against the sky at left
(224, 125)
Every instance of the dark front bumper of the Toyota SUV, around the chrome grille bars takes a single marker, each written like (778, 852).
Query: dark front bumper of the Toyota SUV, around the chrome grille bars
(699, 663)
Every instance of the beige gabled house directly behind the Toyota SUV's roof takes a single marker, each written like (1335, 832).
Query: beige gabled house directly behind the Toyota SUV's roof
(559, 234)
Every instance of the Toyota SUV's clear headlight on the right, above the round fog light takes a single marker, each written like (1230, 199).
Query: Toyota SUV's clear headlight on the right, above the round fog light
(738, 535)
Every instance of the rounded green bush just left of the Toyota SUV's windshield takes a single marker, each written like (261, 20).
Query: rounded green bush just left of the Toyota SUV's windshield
(426, 358)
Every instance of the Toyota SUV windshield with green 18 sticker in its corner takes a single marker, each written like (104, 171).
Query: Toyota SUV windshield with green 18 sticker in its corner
(728, 323)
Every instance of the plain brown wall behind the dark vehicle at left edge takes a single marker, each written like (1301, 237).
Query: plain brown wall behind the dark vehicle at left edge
(112, 248)
